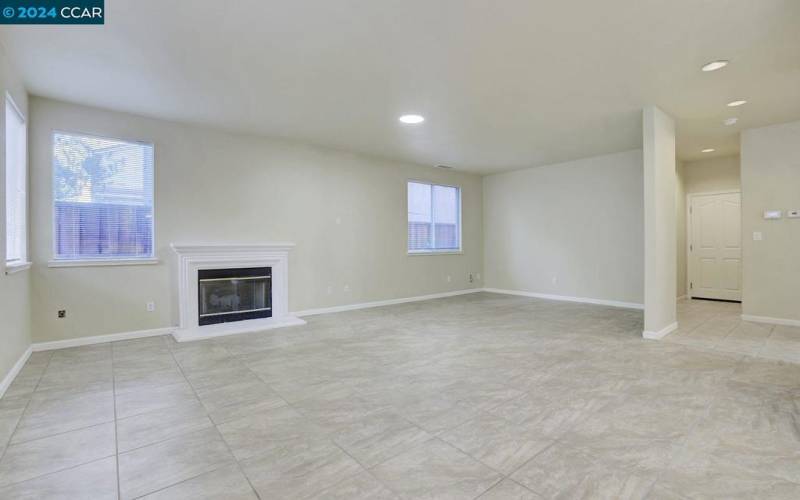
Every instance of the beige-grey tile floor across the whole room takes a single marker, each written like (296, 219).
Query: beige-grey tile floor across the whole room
(479, 396)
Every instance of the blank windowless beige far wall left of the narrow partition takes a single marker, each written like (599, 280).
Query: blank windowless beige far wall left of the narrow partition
(572, 229)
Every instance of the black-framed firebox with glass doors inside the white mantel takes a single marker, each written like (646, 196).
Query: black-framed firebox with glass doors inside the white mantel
(238, 294)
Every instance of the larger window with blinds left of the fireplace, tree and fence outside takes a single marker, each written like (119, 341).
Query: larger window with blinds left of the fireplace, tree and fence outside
(103, 198)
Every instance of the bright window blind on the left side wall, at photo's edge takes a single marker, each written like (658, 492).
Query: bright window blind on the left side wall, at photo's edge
(16, 185)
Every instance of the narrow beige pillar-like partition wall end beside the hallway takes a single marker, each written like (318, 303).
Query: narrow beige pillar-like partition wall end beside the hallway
(660, 255)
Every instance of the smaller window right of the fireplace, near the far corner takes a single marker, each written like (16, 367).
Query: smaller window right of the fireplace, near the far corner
(434, 218)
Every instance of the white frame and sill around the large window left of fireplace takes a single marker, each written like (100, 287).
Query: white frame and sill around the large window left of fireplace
(97, 261)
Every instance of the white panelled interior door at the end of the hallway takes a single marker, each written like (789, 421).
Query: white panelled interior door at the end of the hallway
(715, 246)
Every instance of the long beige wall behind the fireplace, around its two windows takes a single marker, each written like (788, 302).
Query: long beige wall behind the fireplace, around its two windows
(215, 187)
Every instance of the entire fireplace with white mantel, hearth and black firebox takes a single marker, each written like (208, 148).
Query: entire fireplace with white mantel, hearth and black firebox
(245, 289)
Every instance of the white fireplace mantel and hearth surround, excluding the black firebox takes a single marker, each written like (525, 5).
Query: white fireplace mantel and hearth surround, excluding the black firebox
(193, 258)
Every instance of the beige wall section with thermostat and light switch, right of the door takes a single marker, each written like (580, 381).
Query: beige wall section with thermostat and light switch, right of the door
(771, 180)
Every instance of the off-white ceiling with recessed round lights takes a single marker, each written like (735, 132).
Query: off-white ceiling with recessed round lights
(503, 84)
